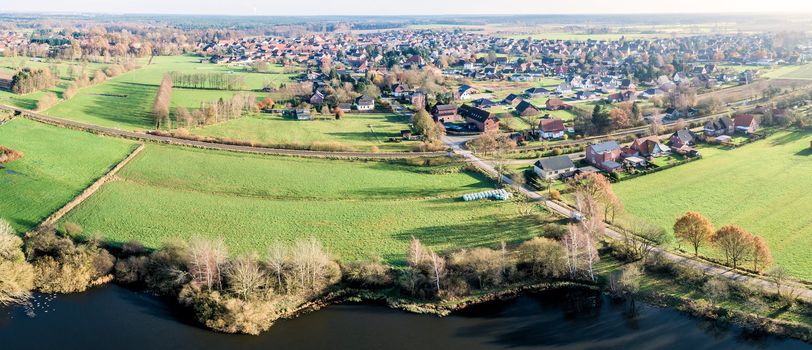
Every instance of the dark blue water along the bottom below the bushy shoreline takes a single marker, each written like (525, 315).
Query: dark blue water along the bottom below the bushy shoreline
(116, 318)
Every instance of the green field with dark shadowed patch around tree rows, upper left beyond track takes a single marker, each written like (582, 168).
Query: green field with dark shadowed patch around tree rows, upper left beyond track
(126, 101)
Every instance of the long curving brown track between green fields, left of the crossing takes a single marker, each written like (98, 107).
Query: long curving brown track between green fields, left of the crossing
(209, 145)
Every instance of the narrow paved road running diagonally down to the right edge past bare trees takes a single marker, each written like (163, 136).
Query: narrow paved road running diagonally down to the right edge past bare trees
(565, 210)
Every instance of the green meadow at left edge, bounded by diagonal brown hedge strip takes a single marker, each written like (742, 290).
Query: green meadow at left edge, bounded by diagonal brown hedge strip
(57, 165)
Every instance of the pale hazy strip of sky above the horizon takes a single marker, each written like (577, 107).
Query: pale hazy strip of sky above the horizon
(403, 7)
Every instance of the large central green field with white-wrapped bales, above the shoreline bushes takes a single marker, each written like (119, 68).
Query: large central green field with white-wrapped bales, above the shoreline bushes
(357, 209)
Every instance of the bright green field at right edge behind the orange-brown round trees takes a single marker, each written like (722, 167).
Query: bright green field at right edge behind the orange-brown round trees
(763, 187)
